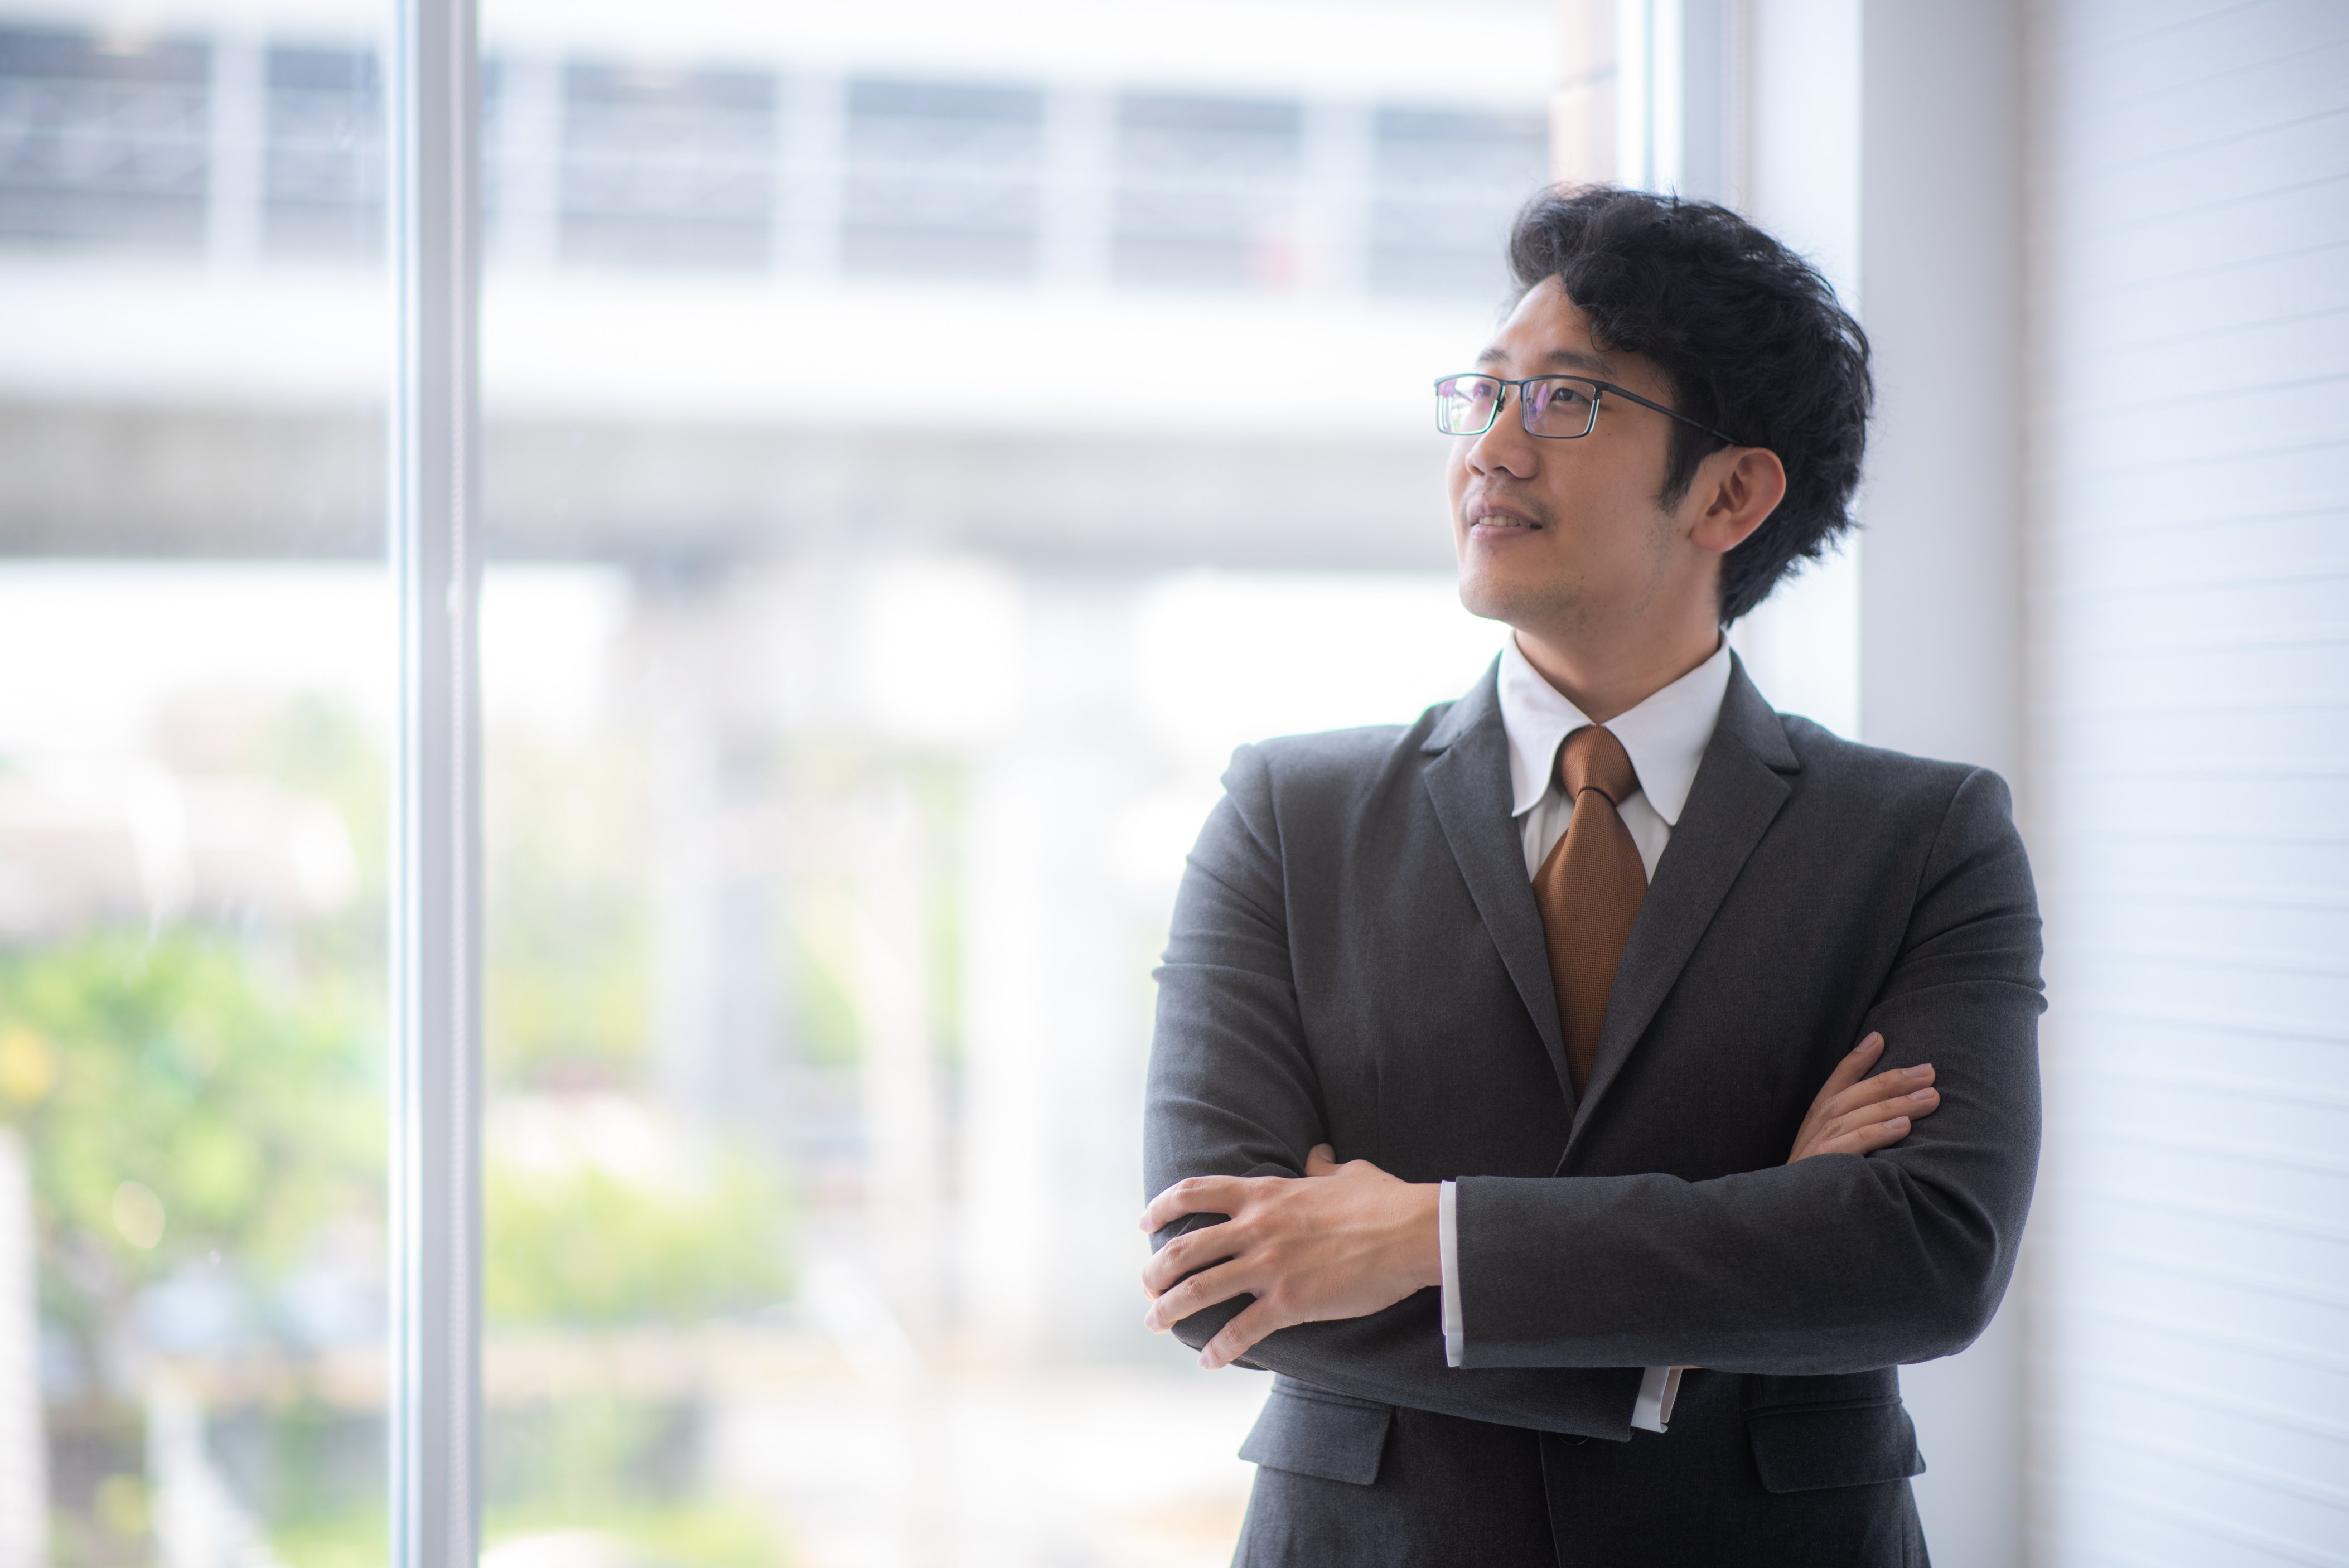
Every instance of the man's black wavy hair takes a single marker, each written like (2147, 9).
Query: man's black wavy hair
(1749, 334)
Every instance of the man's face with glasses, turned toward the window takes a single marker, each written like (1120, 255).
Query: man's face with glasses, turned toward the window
(1566, 536)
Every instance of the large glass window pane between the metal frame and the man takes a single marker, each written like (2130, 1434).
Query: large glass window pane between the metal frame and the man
(863, 640)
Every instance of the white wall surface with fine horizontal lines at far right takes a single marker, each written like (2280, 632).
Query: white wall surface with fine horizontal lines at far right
(2190, 611)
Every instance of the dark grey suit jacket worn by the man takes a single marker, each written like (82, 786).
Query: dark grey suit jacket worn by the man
(1357, 959)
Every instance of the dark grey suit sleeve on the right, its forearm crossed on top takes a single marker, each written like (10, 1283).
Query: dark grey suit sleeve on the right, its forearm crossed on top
(1836, 1264)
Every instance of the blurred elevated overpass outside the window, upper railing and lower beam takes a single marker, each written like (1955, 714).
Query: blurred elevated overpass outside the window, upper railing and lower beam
(1187, 281)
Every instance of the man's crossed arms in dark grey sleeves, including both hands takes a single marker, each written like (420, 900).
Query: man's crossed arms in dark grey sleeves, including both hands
(1817, 1266)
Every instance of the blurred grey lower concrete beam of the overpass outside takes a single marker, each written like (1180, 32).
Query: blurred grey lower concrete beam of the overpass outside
(264, 485)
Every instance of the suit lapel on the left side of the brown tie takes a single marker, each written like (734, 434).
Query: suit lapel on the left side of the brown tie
(1469, 788)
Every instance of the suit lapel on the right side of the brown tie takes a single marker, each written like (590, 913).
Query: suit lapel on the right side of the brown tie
(1739, 792)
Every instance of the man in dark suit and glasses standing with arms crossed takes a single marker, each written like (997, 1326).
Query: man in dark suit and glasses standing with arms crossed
(1483, 1046)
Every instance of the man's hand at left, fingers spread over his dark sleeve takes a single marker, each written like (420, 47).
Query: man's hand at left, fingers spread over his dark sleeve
(1345, 1243)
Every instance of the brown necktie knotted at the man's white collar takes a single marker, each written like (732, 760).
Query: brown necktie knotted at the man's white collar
(1589, 891)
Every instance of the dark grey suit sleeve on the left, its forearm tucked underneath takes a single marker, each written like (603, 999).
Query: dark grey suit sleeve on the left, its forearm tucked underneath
(1232, 1093)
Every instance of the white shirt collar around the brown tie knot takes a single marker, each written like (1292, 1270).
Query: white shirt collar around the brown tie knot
(1667, 736)
